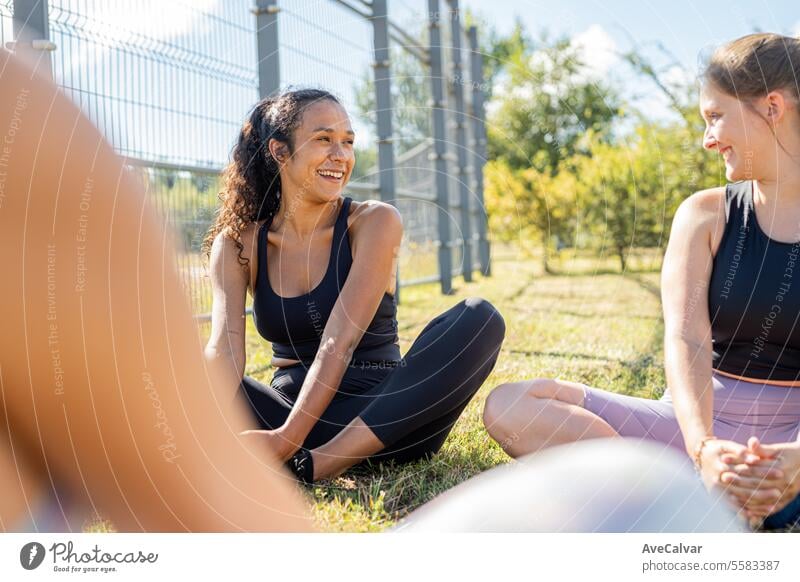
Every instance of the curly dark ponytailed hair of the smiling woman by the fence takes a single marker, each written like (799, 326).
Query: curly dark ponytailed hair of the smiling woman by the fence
(252, 190)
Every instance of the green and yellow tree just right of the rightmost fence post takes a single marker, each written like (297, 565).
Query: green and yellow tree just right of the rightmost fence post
(551, 114)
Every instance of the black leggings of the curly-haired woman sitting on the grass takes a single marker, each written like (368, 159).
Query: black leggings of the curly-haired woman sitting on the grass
(410, 406)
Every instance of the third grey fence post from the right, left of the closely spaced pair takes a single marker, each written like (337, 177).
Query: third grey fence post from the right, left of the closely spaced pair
(439, 150)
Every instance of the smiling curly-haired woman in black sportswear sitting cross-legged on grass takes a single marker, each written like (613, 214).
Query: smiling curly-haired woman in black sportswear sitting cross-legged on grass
(320, 268)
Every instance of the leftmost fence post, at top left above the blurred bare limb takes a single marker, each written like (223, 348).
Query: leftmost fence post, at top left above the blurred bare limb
(32, 34)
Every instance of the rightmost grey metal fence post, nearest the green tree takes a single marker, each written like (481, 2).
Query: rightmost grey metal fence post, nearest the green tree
(479, 133)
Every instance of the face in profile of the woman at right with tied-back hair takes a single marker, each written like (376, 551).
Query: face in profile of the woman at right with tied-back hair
(738, 133)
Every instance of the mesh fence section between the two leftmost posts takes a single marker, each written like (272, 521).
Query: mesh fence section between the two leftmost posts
(169, 84)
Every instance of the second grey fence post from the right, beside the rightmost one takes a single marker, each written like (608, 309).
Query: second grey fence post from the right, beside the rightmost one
(457, 88)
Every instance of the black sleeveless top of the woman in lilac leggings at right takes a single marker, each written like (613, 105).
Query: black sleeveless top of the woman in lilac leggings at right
(754, 296)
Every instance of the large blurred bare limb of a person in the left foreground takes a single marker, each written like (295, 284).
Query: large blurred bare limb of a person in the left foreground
(104, 386)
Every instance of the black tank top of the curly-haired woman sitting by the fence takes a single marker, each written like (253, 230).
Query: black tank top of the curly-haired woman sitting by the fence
(294, 325)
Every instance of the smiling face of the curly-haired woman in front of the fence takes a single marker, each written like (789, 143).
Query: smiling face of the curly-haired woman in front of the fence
(323, 156)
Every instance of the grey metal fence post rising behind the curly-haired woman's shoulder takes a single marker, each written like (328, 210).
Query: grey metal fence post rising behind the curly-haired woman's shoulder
(383, 100)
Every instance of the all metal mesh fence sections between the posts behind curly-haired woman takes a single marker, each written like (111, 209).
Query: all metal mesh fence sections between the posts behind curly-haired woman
(169, 83)
